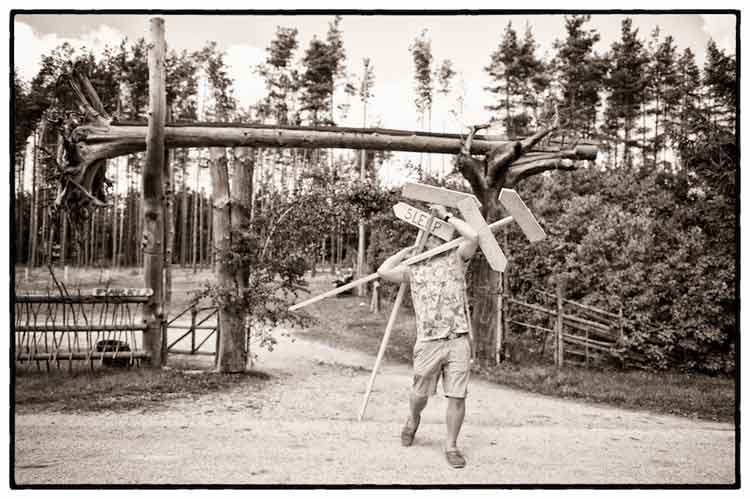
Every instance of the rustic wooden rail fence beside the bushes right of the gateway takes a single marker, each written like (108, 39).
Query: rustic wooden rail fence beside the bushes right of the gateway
(582, 334)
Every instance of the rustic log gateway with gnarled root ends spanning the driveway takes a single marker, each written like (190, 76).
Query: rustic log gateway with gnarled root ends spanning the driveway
(91, 135)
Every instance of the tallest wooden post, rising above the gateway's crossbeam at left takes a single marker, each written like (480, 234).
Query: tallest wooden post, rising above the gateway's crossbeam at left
(153, 221)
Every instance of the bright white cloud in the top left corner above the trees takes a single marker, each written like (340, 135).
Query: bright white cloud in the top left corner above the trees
(29, 46)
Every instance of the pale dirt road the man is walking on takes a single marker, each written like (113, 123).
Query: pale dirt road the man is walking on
(303, 430)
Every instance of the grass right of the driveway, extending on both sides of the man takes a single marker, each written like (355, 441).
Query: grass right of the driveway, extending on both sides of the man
(346, 323)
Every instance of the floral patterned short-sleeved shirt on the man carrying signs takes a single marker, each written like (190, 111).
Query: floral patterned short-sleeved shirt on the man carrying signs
(438, 290)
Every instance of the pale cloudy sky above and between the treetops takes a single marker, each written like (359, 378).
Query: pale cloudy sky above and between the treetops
(467, 40)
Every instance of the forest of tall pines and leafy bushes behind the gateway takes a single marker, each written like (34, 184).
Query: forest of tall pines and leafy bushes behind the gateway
(650, 226)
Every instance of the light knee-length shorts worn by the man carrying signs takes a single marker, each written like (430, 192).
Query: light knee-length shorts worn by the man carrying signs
(449, 358)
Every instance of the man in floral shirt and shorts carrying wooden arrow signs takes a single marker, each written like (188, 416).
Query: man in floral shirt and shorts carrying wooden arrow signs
(443, 346)
